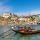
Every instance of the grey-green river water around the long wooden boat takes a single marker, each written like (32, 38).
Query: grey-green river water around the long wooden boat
(16, 36)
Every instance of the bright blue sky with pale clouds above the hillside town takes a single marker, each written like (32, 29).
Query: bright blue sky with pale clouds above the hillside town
(20, 7)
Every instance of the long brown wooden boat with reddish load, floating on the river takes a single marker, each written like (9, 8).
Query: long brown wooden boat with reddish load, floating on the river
(25, 31)
